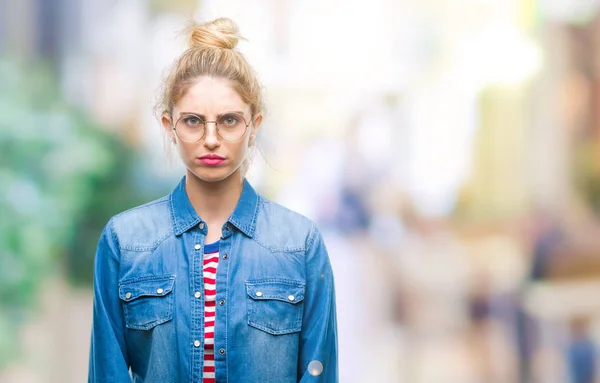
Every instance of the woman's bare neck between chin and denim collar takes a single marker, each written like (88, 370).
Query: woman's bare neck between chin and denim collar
(214, 201)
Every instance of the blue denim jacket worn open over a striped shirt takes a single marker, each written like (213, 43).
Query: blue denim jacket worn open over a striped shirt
(147, 318)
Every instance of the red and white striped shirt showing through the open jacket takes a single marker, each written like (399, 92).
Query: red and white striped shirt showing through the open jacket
(209, 270)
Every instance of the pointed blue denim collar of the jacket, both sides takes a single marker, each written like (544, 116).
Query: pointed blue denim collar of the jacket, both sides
(184, 215)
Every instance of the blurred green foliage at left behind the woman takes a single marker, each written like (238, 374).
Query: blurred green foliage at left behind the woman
(61, 178)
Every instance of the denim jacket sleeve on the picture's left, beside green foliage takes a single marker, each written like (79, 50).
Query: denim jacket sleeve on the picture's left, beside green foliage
(108, 350)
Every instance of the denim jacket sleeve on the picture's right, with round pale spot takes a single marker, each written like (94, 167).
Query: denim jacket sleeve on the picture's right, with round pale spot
(318, 339)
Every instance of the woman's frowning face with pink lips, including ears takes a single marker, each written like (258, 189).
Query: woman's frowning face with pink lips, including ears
(212, 159)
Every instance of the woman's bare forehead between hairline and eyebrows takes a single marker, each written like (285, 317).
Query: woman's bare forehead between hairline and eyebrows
(211, 95)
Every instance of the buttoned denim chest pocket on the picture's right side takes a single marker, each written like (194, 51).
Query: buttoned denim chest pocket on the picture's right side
(275, 306)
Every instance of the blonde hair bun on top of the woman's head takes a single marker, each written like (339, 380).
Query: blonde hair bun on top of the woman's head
(219, 33)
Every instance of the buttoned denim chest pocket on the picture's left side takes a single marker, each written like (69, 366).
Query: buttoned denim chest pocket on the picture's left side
(147, 301)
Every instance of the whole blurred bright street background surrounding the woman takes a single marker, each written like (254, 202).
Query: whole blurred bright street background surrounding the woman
(449, 151)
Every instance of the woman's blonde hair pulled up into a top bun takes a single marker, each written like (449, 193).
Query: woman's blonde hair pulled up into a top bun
(212, 52)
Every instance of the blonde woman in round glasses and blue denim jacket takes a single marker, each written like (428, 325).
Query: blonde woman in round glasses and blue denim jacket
(213, 283)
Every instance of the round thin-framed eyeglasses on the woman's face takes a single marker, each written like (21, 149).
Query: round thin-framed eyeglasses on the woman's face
(191, 127)
